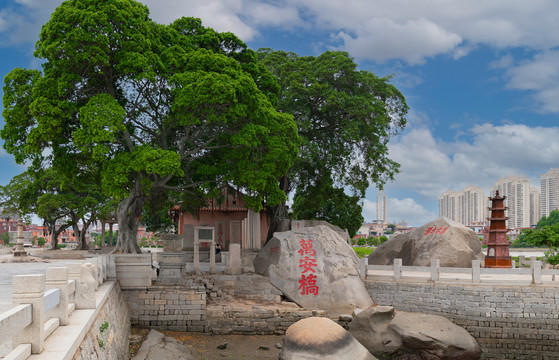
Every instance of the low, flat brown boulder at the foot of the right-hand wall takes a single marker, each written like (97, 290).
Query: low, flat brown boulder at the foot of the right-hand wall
(386, 332)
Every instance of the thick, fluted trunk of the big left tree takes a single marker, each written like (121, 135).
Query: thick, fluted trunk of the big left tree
(129, 216)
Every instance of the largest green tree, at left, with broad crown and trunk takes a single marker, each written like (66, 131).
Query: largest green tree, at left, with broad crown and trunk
(160, 108)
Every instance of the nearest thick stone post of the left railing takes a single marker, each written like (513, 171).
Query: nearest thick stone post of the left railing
(30, 289)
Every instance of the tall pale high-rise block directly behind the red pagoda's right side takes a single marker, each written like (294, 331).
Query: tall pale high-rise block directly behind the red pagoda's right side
(521, 200)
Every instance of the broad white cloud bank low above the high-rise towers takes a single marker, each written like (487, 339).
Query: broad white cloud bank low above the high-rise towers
(430, 166)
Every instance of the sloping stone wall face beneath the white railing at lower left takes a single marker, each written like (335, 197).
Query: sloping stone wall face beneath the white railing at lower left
(108, 336)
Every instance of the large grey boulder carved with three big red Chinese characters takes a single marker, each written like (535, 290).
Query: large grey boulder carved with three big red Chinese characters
(315, 268)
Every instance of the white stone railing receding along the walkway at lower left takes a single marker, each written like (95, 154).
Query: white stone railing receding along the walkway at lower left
(45, 301)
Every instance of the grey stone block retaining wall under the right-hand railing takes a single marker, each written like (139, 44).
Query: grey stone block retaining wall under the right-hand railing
(509, 322)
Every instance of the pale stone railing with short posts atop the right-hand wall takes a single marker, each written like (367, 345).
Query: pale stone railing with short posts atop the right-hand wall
(476, 274)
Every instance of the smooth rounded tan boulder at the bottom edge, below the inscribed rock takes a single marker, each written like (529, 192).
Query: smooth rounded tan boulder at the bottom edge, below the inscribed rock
(321, 338)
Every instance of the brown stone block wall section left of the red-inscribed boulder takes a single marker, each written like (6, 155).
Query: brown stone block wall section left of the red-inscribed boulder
(168, 308)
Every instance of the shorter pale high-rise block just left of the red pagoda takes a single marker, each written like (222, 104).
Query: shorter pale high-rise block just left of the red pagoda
(466, 206)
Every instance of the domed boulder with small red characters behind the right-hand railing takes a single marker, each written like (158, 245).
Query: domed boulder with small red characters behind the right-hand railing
(448, 241)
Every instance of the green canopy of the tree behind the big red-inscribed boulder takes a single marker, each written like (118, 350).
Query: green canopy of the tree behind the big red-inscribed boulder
(345, 118)
